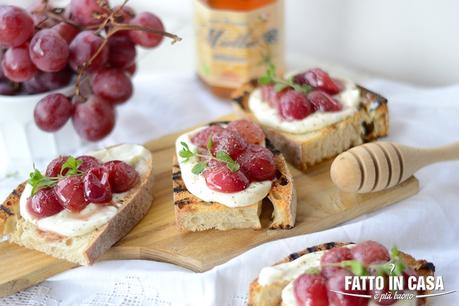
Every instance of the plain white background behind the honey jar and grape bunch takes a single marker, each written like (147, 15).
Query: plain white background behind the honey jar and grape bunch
(414, 41)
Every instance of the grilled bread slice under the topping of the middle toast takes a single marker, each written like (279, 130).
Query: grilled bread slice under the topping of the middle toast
(193, 214)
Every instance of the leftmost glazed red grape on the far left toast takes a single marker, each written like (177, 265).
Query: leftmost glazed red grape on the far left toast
(44, 203)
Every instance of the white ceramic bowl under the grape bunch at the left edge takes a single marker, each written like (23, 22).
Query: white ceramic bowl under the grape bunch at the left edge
(21, 141)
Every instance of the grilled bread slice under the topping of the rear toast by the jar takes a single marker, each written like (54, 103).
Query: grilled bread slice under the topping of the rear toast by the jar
(305, 150)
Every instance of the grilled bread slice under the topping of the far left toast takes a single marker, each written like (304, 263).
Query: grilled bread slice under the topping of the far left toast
(84, 249)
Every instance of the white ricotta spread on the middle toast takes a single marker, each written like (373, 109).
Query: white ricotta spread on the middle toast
(196, 184)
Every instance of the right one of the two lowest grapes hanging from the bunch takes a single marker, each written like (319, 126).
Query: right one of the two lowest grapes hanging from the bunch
(93, 119)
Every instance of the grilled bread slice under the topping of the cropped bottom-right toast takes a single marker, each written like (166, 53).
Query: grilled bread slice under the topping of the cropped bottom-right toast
(270, 295)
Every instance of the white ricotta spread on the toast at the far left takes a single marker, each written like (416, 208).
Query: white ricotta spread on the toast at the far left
(93, 216)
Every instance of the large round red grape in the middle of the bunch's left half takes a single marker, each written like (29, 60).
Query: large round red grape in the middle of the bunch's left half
(49, 51)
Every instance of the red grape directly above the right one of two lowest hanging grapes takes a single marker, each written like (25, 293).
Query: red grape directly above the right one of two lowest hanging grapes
(104, 82)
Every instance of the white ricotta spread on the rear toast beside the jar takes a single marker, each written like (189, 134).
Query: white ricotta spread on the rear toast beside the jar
(267, 115)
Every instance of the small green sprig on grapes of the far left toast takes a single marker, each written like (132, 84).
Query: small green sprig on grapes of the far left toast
(39, 181)
